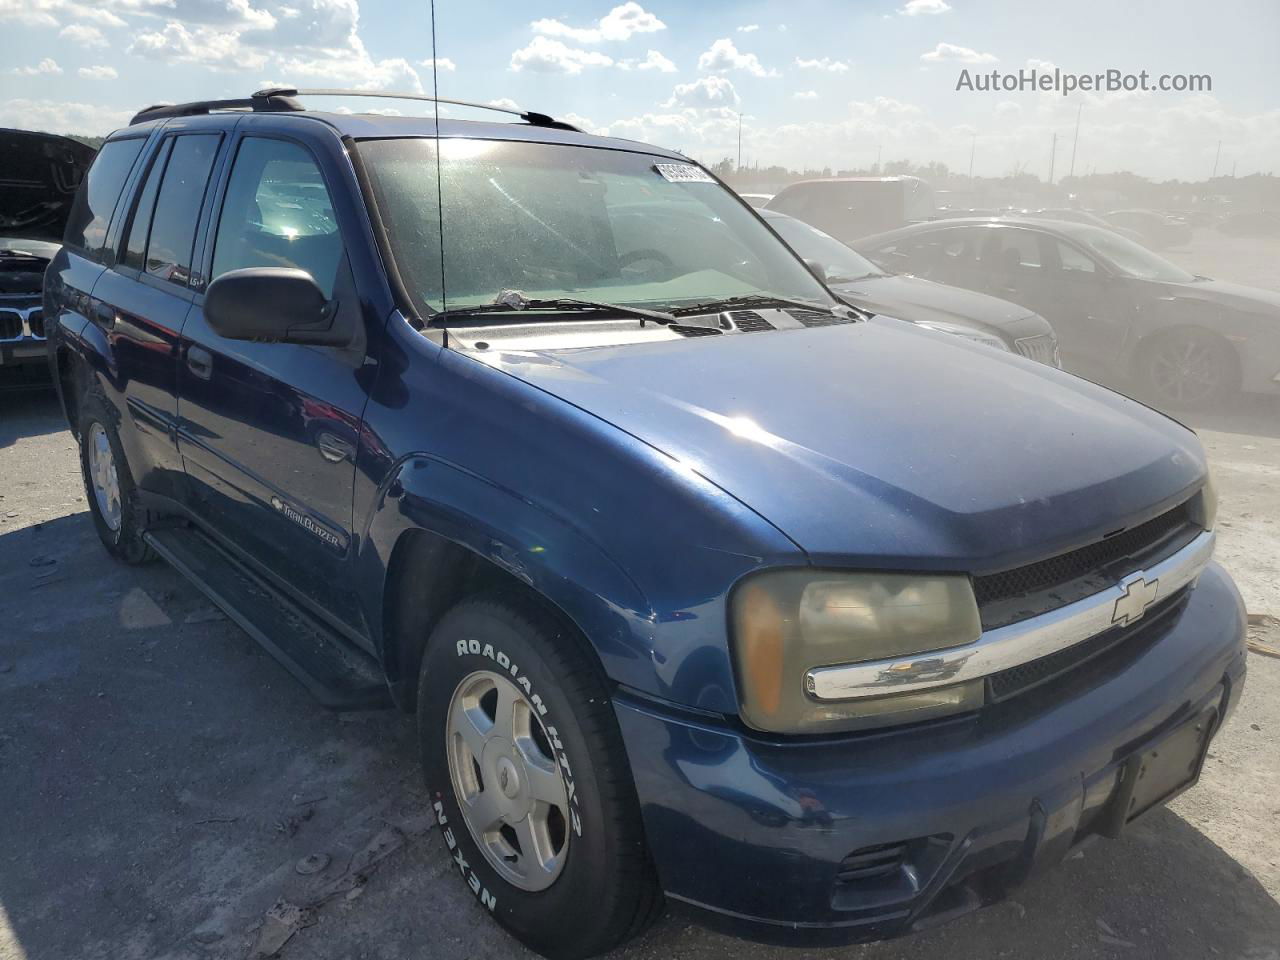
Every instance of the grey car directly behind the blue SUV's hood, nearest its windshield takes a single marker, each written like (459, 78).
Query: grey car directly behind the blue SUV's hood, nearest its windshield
(953, 310)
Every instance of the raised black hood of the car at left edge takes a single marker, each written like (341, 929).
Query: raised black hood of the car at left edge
(39, 177)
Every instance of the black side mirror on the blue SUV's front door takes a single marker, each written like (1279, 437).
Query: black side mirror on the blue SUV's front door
(273, 304)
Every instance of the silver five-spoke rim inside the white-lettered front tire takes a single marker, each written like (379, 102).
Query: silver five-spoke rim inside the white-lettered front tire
(508, 781)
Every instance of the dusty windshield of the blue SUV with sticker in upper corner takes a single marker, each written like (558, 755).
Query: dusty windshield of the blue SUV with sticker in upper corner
(555, 221)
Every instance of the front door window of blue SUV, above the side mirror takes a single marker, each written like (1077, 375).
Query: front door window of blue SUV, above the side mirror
(278, 213)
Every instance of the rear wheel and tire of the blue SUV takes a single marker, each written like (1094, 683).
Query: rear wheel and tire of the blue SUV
(109, 488)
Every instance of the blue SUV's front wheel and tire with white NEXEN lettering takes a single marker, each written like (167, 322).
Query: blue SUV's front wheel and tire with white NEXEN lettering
(531, 781)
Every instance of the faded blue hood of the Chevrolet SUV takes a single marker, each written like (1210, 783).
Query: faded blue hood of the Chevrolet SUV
(884, 446)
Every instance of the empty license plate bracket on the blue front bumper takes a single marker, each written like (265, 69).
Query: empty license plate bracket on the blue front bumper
(1160, 772)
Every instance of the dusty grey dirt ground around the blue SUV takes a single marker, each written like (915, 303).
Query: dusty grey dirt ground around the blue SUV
(164, 783)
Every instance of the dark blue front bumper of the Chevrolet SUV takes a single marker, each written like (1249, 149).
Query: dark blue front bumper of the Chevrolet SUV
(761, 833)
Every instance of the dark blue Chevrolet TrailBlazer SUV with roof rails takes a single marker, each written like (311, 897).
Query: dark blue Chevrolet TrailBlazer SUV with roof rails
(698, 586)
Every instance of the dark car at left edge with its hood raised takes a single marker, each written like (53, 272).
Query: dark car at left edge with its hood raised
(39, 177)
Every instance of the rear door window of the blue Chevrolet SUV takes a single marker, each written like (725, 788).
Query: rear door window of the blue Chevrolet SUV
(182, 194)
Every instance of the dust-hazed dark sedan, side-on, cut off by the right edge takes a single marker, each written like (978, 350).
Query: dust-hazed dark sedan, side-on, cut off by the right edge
(1123, 316)
